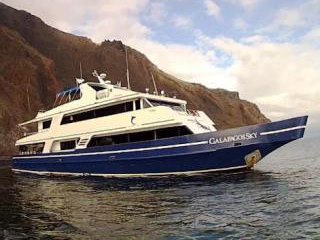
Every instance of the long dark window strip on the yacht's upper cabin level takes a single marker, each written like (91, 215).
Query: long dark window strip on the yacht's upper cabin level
(96, 113)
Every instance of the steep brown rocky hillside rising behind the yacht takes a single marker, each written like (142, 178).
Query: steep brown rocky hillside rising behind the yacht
(42, 60)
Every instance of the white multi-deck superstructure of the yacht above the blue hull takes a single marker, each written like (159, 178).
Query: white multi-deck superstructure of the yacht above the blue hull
(96, 114)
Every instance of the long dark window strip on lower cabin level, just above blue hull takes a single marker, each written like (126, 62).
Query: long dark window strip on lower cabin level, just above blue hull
(139, 136)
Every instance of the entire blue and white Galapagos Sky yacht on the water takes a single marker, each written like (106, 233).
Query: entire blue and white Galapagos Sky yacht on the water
(101, 129)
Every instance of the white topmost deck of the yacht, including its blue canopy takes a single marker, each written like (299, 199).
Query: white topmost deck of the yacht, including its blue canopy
(93, 95)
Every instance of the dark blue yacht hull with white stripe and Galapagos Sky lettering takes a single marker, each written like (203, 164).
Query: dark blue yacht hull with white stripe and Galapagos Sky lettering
(230, 149)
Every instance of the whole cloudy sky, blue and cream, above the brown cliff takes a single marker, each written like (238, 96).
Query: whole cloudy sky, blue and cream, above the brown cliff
(267, 50)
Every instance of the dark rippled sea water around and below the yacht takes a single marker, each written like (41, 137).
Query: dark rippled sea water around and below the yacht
(280, 199)
